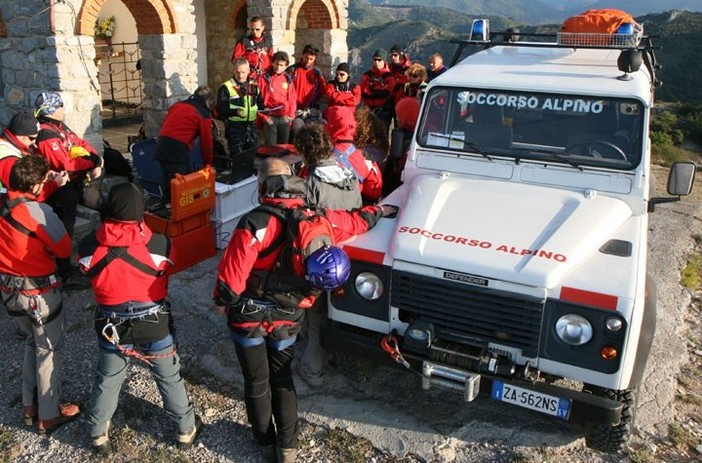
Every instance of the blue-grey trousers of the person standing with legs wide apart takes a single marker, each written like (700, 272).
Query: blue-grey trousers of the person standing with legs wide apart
(112, 370)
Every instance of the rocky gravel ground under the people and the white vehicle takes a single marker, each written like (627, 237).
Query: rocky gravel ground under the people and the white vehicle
(363, 413)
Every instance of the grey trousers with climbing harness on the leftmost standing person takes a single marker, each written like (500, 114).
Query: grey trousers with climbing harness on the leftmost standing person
(41, 370)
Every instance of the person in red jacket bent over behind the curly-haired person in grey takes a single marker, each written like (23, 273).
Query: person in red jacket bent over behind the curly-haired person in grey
(341, 125)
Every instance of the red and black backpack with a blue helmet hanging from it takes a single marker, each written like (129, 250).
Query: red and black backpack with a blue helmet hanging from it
(306, 230)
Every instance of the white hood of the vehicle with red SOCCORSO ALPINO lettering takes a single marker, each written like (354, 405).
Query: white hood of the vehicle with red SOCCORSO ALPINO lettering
(526, 234)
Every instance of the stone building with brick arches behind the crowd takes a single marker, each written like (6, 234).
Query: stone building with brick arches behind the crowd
(49, 45)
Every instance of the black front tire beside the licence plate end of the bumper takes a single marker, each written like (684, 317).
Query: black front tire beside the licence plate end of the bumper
(612, 438)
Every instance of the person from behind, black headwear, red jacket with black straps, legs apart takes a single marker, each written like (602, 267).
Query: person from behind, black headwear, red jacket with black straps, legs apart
(132, 320)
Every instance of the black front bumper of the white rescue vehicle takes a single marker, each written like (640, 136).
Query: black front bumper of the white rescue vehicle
(585, 407)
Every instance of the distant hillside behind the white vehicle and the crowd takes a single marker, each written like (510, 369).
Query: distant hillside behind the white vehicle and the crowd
(423, 31)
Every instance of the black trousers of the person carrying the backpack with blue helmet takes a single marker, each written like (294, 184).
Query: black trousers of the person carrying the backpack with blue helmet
(269, 394)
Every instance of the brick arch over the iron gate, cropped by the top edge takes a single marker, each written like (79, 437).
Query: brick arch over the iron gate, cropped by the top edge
(152, 16)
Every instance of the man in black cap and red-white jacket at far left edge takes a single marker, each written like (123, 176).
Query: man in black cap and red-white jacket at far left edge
(15, 142)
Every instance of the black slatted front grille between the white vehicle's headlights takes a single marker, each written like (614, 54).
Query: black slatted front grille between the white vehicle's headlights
(469, 314)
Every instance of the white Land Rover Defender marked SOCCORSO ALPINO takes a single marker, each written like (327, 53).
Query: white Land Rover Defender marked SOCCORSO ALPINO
(519, 253)
